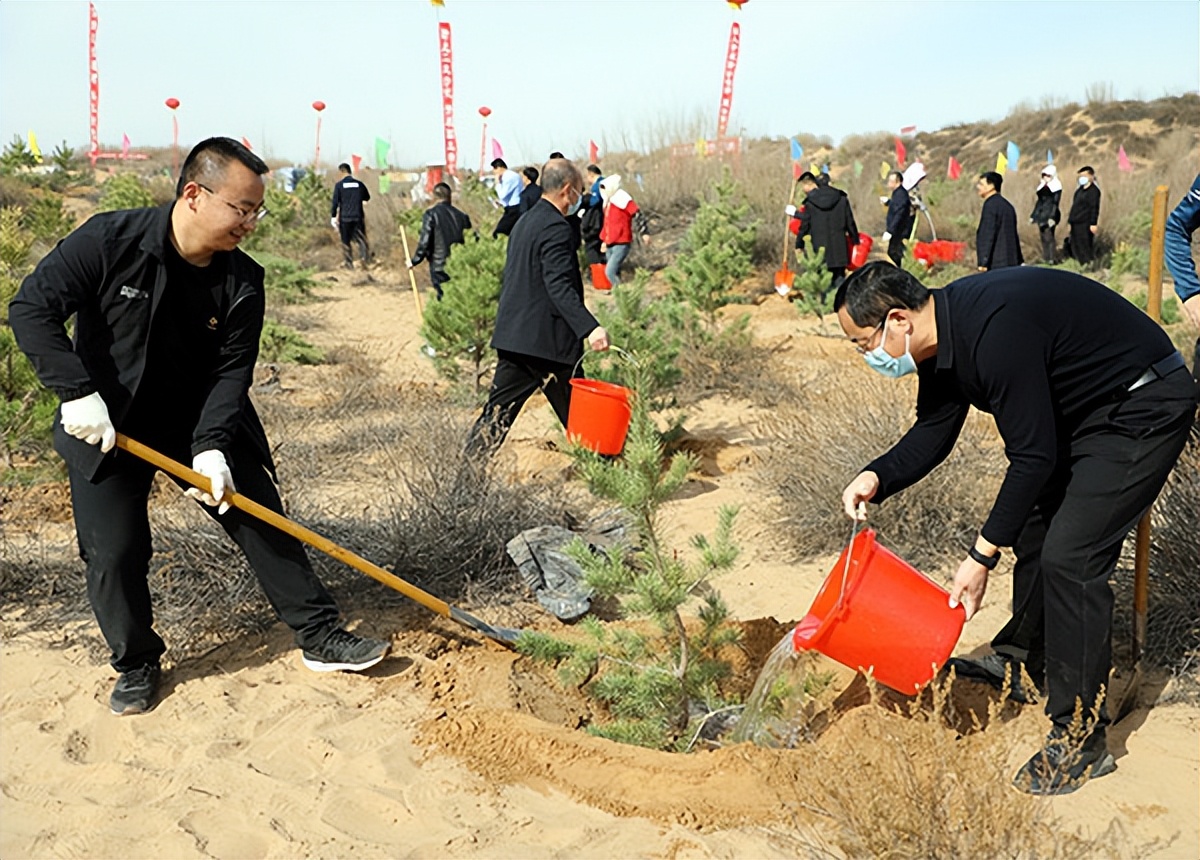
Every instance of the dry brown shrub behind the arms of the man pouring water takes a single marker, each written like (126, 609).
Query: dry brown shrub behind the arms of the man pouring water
(844, 419)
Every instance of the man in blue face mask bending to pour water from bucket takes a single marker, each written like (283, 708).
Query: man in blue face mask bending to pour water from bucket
(1094, 405)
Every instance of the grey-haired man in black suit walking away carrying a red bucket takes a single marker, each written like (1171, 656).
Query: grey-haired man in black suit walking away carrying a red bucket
(542, 321)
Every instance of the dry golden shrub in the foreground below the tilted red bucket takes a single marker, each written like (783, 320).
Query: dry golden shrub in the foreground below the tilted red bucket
(902, 785)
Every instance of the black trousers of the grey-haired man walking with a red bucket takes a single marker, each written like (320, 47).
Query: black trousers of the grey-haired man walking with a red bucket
(517, 378)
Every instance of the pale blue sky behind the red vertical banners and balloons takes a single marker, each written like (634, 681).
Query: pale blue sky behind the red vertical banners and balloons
(557, 74)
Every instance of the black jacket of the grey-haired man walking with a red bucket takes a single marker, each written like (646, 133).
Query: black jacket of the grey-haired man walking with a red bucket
(542, 310)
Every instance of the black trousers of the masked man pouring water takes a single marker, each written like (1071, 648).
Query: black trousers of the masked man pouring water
(1111, 472)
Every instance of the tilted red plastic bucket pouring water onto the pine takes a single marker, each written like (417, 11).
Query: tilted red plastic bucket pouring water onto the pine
(884, 616)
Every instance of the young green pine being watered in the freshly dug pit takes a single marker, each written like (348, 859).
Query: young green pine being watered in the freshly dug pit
(657, 682)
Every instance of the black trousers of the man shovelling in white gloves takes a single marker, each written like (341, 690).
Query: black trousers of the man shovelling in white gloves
(115, 543)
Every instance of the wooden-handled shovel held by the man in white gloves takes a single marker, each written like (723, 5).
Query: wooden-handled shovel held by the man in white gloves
(506, 636)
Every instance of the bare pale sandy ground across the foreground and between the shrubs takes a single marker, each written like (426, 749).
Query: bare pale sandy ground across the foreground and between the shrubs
(449, 749)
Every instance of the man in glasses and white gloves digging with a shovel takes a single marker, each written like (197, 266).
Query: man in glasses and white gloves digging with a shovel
(169, 315)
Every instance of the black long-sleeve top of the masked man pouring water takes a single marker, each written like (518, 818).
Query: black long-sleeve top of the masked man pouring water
(1036, 348)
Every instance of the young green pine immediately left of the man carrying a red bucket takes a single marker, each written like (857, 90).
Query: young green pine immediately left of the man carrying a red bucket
(459, 328)
